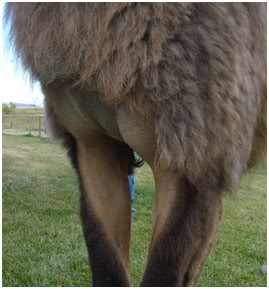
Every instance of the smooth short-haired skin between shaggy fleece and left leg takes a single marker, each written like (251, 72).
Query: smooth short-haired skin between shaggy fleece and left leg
(82, 114)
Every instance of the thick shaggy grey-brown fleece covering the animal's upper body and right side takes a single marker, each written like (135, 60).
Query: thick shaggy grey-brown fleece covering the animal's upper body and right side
(195, 71)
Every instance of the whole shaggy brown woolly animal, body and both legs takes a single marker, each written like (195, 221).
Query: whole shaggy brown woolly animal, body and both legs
(181, 84)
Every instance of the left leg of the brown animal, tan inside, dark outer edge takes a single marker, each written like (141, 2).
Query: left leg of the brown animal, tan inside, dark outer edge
(102, 166)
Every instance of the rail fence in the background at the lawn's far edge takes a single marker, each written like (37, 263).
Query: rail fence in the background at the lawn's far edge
(34, 125)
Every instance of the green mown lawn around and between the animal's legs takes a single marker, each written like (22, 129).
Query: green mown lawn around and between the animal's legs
(42, 239)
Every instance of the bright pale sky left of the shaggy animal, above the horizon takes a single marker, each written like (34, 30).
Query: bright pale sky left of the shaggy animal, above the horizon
(15, 85)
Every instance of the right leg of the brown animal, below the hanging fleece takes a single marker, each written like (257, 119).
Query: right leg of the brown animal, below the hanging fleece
(184, 228)
